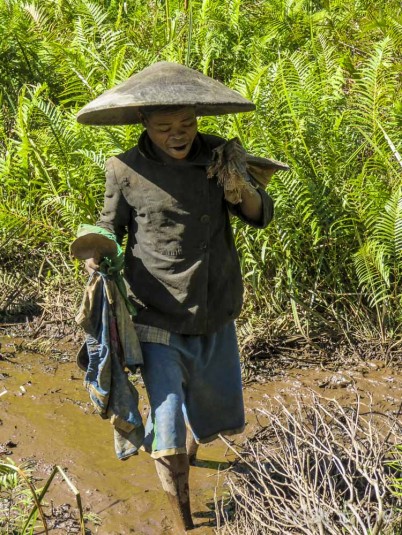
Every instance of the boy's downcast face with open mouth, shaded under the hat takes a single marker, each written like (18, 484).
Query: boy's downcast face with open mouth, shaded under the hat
(172, 131)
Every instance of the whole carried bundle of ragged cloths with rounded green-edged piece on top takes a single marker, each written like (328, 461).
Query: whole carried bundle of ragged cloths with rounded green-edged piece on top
(111, 349)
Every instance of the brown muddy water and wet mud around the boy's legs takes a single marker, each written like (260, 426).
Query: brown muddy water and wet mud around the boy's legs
(46, 416)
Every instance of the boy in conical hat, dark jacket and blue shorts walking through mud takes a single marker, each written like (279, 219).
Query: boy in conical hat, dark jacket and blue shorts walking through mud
(180, 260)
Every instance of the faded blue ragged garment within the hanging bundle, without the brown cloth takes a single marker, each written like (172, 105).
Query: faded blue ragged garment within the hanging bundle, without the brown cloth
(109, 388)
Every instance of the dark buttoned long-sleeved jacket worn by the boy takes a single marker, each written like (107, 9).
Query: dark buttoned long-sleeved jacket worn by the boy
(180, 260)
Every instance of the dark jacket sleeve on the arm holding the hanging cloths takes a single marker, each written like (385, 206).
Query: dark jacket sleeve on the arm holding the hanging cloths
(115, 214)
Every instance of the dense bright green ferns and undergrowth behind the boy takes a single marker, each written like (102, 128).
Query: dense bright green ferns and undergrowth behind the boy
(326, 78)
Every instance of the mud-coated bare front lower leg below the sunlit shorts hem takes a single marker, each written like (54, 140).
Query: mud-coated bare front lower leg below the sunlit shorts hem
(173, 473)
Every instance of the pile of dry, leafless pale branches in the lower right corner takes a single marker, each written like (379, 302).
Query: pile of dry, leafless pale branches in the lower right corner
(316, 468)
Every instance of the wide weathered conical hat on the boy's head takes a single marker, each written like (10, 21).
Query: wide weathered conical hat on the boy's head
(162, 84)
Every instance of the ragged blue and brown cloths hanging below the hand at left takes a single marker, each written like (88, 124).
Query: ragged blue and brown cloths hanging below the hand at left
(111, 346)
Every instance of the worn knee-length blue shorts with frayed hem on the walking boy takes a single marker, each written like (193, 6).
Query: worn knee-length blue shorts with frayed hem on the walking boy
(194, 379)
